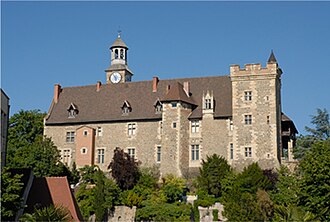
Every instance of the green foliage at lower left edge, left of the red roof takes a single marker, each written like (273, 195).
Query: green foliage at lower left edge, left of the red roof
(11, 187)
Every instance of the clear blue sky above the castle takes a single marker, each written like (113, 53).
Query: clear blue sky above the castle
(43, 43)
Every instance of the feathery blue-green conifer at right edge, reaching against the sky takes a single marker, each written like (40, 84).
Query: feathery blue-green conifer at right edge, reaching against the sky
(321, 132)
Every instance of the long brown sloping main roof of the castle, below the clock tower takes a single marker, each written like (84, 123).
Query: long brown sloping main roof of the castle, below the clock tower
(105, 105)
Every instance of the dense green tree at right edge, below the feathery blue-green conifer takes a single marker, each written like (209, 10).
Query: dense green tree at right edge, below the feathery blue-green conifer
(315, 181)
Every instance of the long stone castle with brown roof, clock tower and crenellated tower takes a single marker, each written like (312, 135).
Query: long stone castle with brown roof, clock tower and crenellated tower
(173, 123)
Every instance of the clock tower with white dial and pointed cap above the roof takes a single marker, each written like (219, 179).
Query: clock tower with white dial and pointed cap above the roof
(118, 72)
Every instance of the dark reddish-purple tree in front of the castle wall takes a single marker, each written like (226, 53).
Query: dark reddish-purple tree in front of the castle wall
(124, 169)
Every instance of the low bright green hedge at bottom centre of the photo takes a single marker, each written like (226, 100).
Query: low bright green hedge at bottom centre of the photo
(164, 212)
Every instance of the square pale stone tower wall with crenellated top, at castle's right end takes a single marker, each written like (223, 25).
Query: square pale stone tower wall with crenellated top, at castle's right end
(263, 135)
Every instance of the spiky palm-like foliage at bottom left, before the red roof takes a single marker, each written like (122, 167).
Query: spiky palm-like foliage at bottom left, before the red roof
(51, 213)
